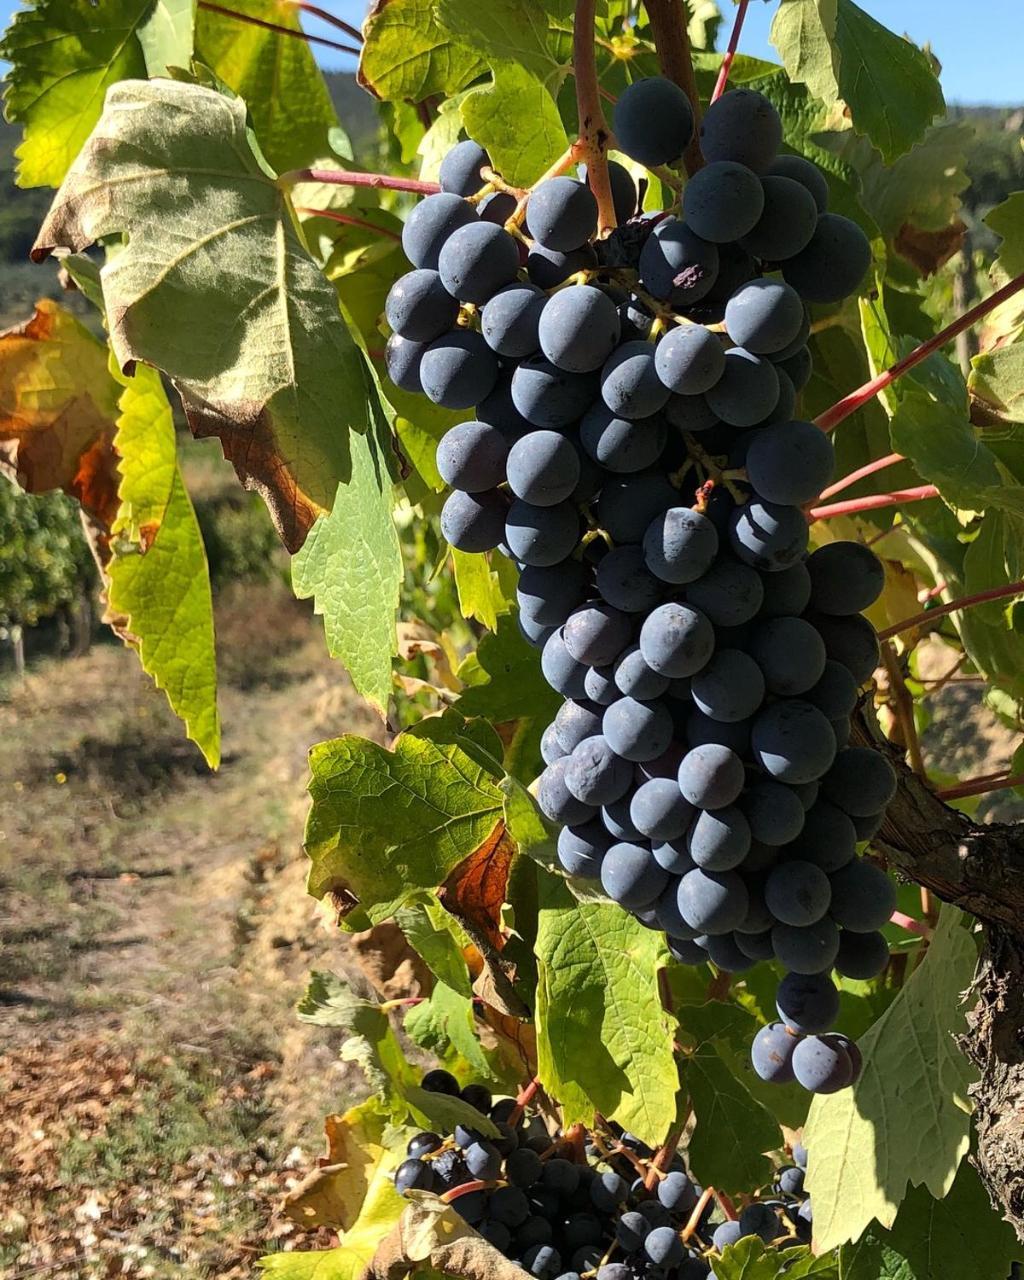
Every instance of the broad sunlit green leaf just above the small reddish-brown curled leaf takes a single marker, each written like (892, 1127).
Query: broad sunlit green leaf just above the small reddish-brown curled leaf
(386, 825)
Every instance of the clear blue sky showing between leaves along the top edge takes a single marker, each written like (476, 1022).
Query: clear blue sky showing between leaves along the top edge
(980, 45)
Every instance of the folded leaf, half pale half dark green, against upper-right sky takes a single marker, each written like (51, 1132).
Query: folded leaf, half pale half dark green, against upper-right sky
(843, 54)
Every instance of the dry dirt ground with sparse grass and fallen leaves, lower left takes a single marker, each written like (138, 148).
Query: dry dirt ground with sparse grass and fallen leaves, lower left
(157, 1094)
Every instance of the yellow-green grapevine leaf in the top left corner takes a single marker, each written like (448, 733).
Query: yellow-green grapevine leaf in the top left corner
(65, 56)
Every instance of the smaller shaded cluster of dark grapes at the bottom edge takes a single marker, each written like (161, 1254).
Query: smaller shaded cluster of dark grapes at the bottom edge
(565, 1206)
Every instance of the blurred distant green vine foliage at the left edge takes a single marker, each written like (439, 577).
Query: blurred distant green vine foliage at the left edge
(45, 561)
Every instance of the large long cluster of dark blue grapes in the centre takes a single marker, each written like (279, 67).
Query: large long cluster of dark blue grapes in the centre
(636, 451)
